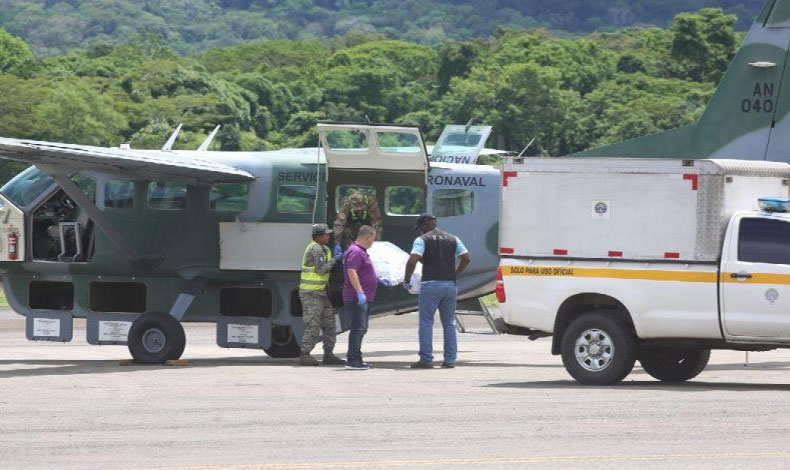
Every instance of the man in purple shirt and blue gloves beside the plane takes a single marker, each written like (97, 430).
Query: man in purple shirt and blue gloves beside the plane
(359, 291)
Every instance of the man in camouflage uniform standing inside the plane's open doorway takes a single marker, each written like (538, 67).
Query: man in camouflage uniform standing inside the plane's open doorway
(358, 209)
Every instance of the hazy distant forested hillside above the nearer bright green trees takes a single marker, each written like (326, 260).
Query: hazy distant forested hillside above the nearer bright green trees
(56, 26)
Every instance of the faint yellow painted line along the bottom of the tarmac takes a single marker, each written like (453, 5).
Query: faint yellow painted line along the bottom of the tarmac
(373, 464)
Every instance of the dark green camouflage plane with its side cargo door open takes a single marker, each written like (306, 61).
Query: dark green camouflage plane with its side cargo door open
(137, 242)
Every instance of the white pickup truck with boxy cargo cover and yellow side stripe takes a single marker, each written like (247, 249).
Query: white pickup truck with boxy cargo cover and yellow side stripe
(652, 260)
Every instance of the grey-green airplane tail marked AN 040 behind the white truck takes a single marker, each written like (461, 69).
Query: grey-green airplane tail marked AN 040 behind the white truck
(748, 116)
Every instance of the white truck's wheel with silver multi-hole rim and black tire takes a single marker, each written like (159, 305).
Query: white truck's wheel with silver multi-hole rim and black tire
(598, 349)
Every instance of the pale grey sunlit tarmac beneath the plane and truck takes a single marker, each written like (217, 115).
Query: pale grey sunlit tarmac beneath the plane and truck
(508, 404)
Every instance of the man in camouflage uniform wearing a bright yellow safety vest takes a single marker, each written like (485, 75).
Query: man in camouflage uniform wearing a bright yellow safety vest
(317, 311)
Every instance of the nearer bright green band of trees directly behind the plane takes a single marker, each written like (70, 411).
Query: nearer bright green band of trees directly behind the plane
(567, 93)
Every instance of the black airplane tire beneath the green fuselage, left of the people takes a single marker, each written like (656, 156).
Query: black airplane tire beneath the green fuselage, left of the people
(155, 338)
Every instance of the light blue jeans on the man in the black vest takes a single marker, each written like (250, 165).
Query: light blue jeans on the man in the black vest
(442, 295)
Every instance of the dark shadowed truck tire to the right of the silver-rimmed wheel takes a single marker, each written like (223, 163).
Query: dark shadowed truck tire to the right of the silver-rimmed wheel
(674, 364)
